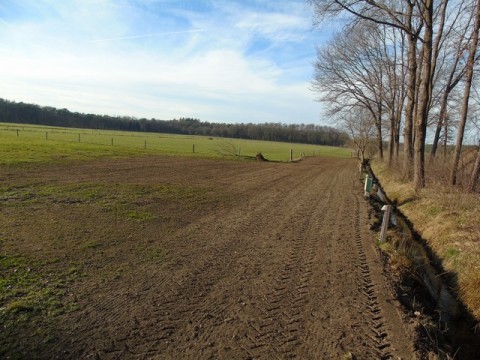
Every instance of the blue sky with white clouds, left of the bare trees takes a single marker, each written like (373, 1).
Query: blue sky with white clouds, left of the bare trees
(220, 61)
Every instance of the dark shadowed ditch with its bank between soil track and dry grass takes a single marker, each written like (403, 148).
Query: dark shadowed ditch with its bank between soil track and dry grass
(426, 290)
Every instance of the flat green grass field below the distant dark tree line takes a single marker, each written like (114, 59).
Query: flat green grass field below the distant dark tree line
(30, 144)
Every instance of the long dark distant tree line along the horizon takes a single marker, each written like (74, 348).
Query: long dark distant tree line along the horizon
(22, 113)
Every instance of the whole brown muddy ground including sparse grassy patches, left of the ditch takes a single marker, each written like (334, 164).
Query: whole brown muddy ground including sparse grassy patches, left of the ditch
(202, 259)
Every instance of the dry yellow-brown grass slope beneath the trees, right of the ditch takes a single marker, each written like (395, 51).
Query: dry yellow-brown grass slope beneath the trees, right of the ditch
(447, 218)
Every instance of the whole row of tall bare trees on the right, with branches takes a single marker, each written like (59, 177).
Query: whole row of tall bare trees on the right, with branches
(402, 67)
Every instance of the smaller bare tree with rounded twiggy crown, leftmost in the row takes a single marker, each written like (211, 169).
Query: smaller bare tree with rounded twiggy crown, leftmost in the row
(349, 74)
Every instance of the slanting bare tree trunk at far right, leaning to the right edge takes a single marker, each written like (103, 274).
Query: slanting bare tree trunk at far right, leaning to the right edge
(466, 95)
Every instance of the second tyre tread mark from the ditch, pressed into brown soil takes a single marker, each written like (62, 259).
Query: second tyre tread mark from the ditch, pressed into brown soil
(285, 304)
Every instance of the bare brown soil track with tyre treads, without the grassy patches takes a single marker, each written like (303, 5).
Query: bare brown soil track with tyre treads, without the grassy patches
(285, 269)
